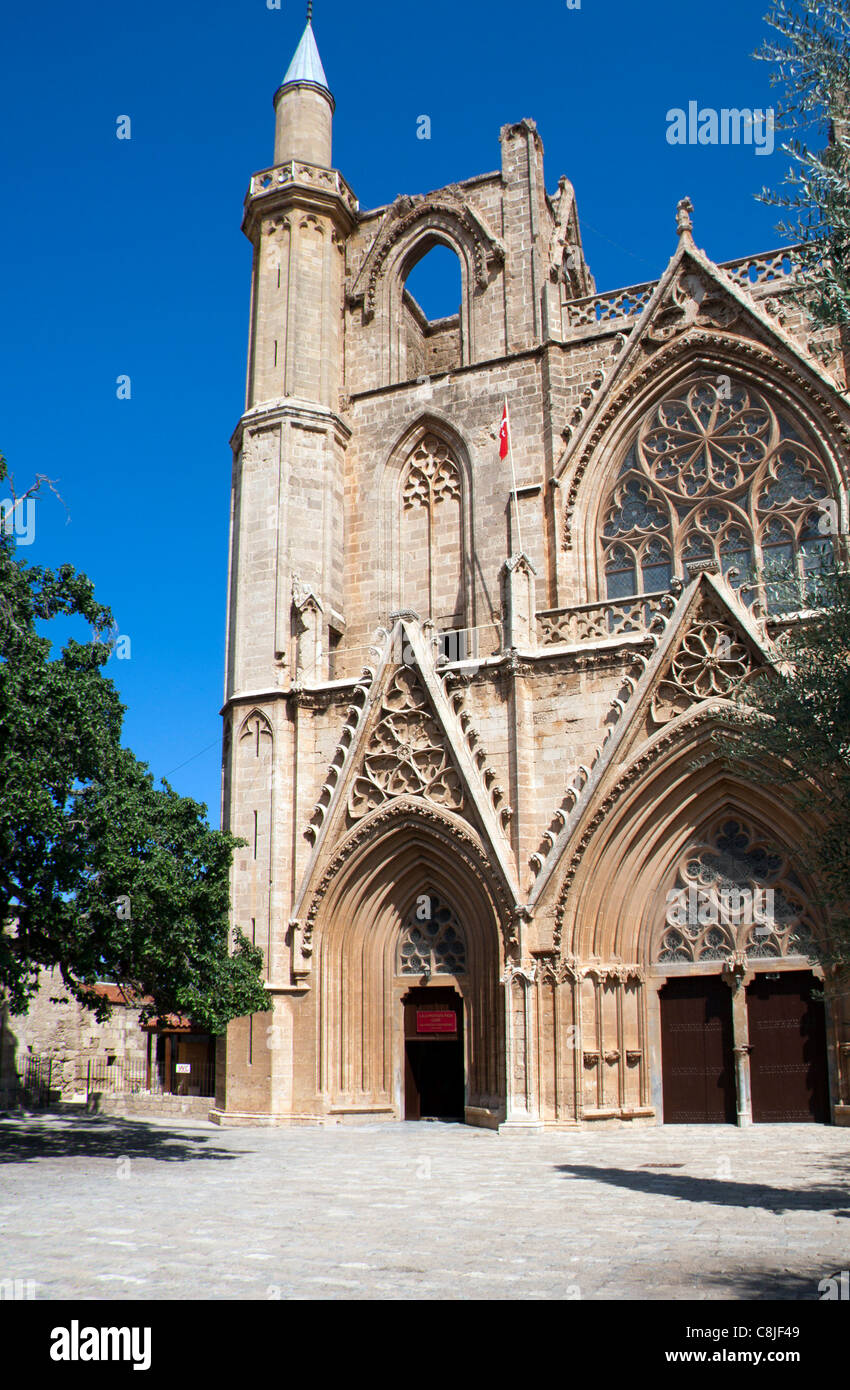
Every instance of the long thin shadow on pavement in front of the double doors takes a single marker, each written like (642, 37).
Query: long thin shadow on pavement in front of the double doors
(717, 1192)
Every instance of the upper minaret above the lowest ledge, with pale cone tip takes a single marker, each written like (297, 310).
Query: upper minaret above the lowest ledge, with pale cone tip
(290, 447)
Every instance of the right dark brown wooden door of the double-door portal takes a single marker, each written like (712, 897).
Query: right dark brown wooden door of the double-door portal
(788, 1049)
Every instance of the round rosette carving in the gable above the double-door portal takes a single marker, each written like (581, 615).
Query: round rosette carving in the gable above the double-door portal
(709, 664)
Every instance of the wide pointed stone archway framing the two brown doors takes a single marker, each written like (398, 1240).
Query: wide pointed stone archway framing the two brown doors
(616, 899)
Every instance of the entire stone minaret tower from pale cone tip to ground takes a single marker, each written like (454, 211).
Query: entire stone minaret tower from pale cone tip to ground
(287, 546)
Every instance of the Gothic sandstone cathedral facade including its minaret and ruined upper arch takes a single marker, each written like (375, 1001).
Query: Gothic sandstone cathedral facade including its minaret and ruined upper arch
(469, 725)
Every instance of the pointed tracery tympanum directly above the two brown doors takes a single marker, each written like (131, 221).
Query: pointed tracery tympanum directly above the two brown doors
(737, 896)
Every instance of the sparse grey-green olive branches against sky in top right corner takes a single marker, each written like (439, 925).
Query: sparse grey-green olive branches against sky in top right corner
(812, 65)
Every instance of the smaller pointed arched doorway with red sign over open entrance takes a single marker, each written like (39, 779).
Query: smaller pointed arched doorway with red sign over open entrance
(374, 953)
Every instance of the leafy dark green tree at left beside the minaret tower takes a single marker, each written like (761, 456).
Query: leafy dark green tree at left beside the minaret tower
(102, 874)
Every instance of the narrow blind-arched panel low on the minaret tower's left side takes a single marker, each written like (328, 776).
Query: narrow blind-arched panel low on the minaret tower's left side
(253, 822)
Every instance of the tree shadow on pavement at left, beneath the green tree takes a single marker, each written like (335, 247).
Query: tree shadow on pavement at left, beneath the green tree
(22, 1142)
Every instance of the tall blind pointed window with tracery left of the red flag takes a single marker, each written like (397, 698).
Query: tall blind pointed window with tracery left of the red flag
(428, 526)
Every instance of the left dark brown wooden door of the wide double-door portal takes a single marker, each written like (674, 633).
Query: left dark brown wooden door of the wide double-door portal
(698, 1064)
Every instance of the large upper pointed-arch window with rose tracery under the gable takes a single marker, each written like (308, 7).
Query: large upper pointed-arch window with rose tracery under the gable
(797, 408)
